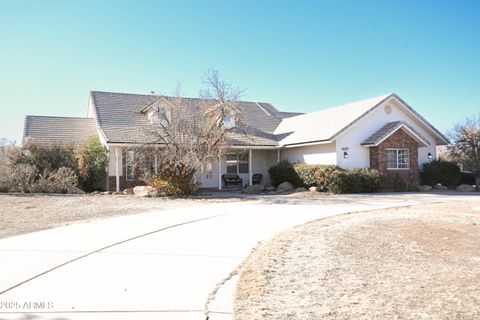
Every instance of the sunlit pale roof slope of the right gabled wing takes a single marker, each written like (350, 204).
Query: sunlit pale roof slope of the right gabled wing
(325, 124)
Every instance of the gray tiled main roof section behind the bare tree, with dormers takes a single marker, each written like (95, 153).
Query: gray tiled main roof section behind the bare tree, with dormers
(120, 117)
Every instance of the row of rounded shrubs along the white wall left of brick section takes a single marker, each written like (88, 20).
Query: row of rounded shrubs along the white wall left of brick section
(328, 178)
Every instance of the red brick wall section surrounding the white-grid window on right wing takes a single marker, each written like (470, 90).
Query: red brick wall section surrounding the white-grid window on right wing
(400, 178)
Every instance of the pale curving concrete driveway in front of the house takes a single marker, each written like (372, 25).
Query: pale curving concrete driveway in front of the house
(177, 264)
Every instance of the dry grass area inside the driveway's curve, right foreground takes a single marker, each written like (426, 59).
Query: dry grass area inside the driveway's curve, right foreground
(421, 262)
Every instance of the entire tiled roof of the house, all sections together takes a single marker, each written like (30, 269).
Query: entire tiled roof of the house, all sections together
(120, 119)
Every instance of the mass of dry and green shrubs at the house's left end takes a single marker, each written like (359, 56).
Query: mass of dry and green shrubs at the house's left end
(55, 168)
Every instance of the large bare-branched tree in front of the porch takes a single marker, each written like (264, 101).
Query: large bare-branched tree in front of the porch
(187, 133)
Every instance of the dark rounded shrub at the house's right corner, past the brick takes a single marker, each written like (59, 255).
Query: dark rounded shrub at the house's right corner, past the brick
(441, 171)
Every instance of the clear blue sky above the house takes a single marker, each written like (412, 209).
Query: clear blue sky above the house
(297, 55)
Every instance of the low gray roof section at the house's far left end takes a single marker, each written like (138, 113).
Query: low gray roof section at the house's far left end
(58, 130)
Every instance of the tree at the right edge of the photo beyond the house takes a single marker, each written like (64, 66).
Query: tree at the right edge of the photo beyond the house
(465, 149)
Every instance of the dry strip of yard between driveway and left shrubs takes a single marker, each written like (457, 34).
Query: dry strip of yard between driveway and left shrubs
(25, 213)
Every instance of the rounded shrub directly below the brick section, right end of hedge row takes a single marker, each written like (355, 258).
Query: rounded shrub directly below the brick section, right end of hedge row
(355, 181)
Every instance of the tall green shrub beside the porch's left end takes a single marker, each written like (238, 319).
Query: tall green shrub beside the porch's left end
(92, 163)
